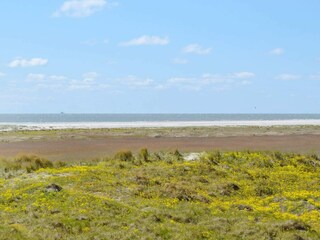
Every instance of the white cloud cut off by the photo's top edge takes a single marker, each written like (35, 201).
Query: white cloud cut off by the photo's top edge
(80, 8)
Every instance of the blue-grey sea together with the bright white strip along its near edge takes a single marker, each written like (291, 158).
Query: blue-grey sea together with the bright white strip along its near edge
(12, 122)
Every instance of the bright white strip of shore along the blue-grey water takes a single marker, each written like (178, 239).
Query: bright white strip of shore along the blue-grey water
(95, 125)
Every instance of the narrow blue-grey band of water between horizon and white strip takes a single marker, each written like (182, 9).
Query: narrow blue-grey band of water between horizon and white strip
(98, 118)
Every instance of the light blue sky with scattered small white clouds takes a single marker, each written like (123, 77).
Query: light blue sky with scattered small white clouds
(142, 56)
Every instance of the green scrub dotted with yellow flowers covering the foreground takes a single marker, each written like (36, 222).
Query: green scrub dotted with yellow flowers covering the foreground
(222, 195)
